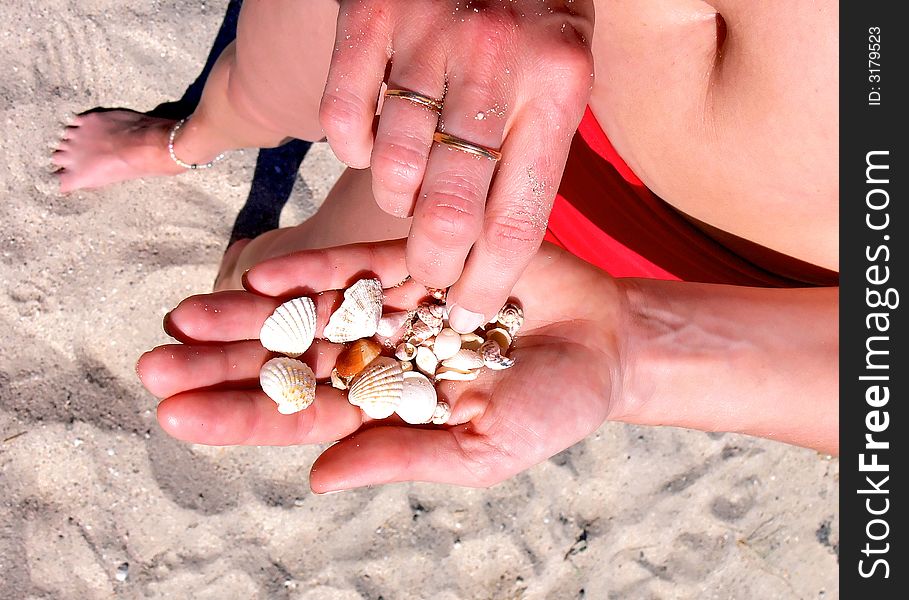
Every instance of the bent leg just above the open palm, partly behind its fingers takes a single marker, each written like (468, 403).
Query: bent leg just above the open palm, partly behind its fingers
(348, 215)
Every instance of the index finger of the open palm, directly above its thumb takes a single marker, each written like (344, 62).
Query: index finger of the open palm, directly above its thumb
(249, 417)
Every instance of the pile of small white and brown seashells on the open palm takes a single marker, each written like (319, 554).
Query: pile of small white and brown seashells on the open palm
(425, 351)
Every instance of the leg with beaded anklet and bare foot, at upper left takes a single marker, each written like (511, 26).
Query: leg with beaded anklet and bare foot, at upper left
(262, 90)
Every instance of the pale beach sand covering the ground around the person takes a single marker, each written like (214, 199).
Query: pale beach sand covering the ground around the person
(97, 502)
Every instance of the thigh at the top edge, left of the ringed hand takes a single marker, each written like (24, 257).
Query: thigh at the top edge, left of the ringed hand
(283, 52)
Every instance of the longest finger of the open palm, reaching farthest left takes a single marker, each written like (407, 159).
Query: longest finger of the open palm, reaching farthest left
(175, 368)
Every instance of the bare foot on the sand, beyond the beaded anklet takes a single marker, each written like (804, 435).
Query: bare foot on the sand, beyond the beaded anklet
(106, 147)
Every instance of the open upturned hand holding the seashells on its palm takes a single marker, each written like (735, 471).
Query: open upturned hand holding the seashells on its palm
(559, 390)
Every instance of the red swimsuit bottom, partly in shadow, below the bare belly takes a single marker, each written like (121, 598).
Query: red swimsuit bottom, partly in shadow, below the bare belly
(606, 216)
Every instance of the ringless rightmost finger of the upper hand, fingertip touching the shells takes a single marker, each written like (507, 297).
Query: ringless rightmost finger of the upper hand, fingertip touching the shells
(517, 212)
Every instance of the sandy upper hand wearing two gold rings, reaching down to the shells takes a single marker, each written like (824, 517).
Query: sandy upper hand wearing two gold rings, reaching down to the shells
(513, 76)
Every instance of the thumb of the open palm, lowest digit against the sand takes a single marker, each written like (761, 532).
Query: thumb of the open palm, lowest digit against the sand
(392, 454)
